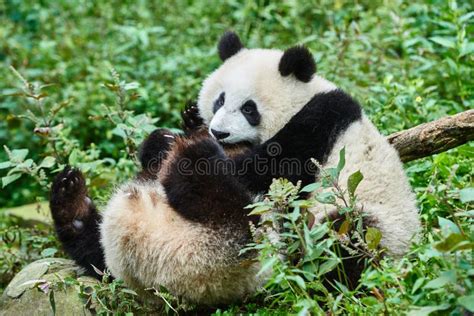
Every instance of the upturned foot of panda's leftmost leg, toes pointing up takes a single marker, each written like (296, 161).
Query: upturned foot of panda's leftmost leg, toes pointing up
(69, 200)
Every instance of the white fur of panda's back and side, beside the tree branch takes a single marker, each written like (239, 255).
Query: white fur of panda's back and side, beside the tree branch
(384, 194)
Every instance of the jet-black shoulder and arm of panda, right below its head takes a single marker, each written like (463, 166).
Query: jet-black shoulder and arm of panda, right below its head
(311, 133)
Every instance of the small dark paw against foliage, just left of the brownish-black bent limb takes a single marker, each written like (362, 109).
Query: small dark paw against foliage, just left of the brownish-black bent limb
(154, 149)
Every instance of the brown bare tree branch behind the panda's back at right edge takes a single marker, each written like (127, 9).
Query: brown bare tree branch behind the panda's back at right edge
(434, 137)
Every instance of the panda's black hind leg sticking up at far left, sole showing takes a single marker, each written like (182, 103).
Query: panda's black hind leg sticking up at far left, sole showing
(76, 220)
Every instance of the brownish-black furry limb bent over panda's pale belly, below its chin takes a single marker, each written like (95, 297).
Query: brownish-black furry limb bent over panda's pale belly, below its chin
(200, 186)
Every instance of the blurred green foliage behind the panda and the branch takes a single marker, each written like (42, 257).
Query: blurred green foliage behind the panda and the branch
(407, 62)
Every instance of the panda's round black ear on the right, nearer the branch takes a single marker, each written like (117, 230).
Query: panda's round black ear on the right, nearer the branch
(298, 61)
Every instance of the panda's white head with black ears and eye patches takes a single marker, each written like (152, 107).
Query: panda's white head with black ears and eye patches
(254, 93)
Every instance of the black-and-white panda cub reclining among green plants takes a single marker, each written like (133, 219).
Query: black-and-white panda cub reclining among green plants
(183, 229)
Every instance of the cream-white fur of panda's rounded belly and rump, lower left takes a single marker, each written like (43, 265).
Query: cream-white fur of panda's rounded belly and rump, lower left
(147, 244)
